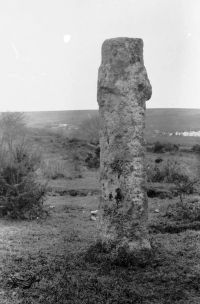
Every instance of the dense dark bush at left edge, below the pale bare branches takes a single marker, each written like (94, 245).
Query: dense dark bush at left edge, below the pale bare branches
(20, 195)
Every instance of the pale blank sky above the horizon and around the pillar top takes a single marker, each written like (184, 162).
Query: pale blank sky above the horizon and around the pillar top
(50, 50)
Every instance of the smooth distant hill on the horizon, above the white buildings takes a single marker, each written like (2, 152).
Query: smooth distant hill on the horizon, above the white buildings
(164, 120)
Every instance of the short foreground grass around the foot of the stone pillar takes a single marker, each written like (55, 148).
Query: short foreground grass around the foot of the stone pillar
(64, 265)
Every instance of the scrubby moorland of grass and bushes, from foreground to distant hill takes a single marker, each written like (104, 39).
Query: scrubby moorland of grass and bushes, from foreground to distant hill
(50, 251)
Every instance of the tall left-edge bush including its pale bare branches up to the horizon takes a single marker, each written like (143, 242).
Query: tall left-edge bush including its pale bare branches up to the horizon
(21, 196)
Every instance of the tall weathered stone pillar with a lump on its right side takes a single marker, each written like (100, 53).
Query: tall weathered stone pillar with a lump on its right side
(123, 88)
